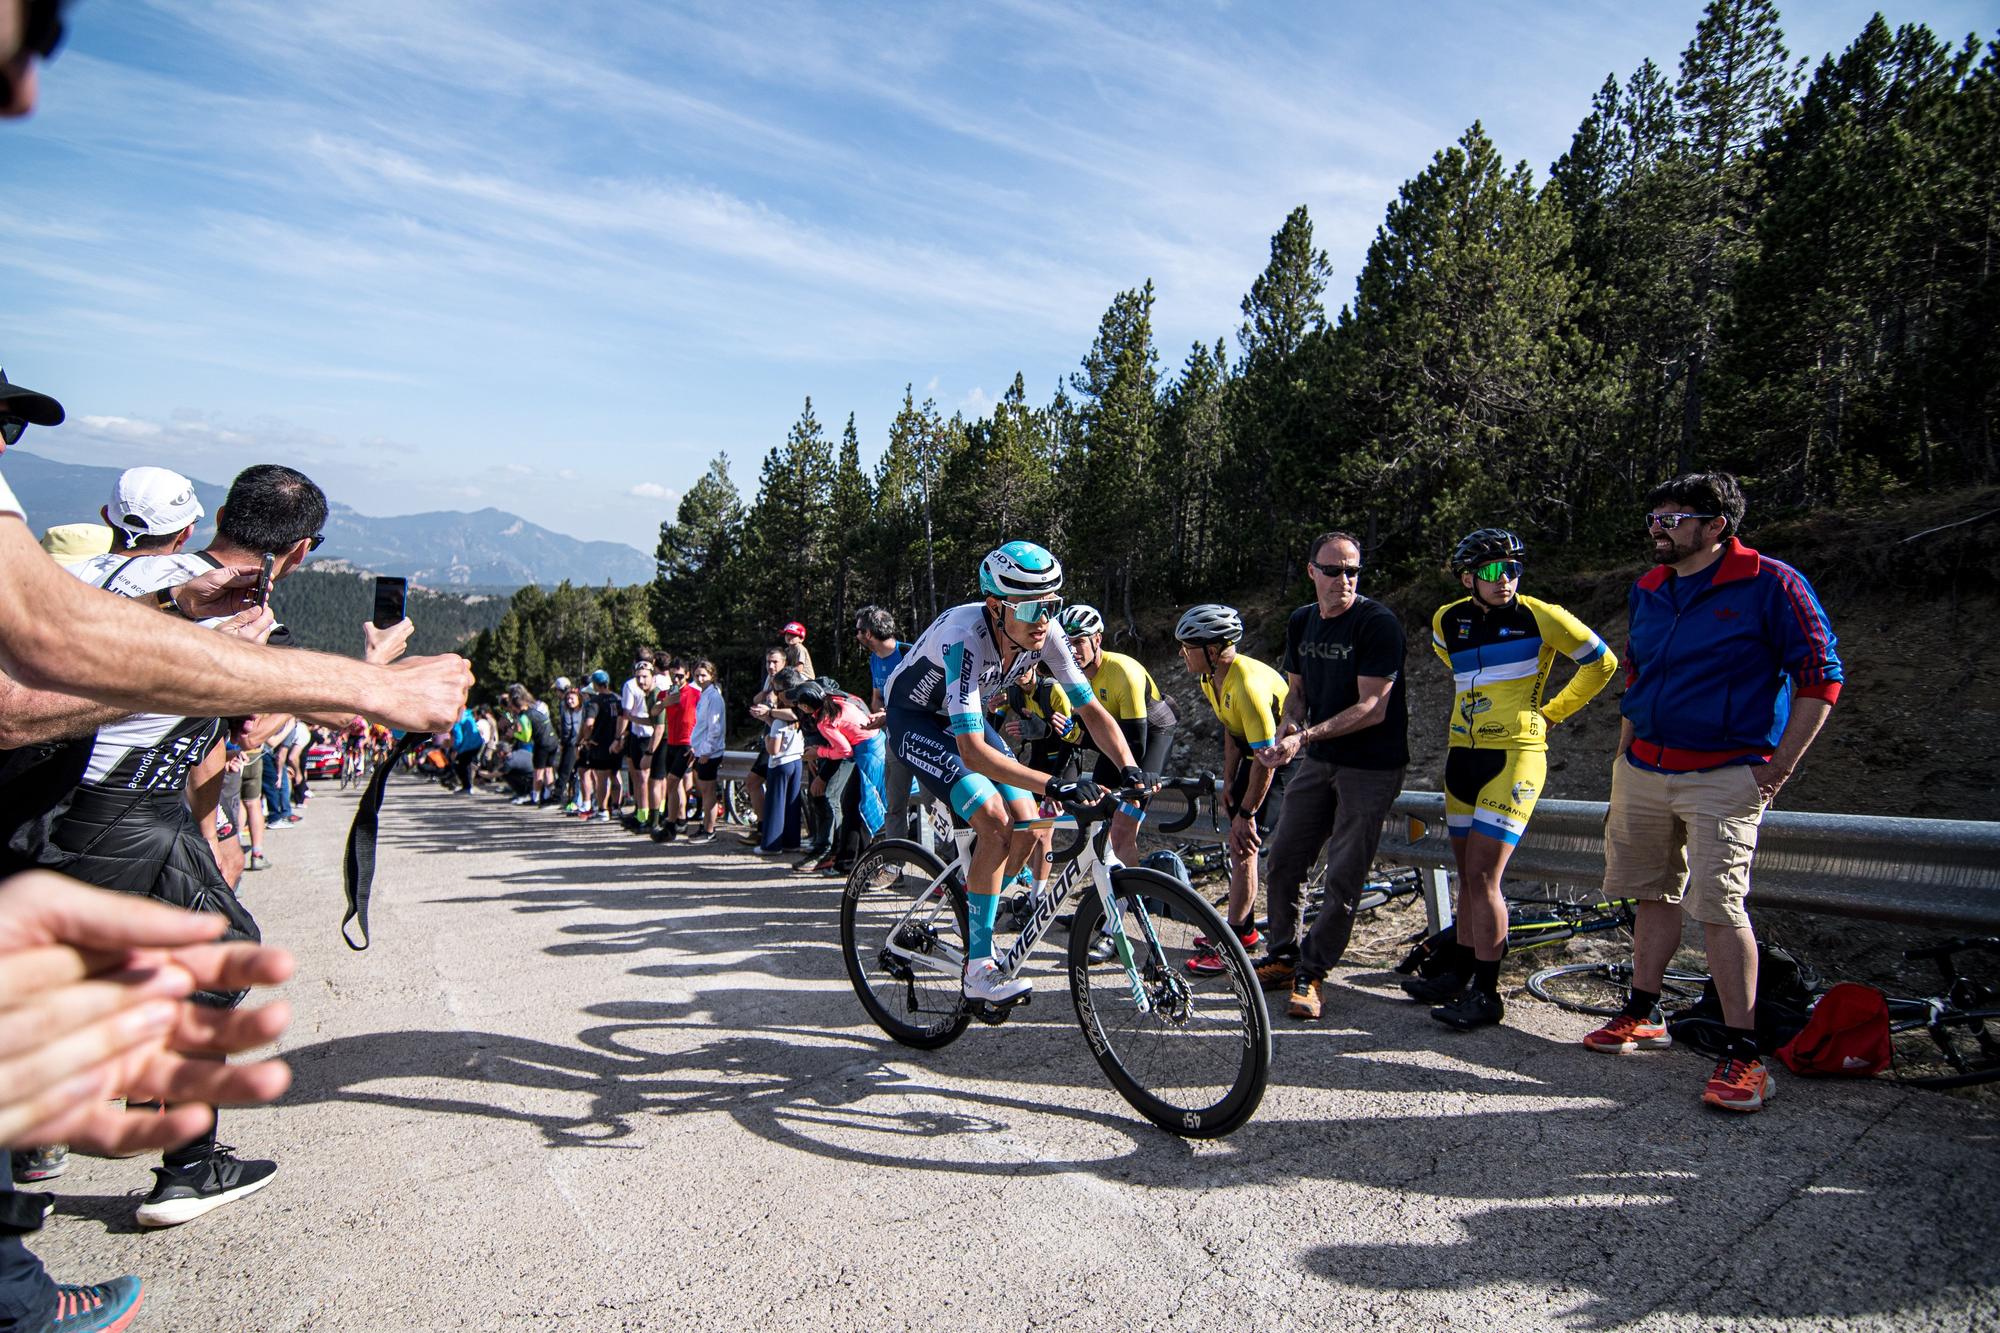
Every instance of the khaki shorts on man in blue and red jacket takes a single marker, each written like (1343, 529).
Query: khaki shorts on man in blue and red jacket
(1683, 838)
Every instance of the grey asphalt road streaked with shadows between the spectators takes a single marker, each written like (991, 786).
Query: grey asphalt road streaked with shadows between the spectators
(589, 1084)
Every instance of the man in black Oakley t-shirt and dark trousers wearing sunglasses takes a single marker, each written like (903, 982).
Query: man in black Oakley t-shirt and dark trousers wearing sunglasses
(1343, 661)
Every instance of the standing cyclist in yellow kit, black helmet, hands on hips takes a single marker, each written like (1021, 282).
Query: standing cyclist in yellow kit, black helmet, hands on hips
(1501, 649)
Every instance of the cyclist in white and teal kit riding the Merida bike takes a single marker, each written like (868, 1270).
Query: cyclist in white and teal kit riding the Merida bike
(937, 724)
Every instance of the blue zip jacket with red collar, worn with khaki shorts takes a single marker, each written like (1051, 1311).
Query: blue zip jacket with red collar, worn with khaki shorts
(1713, 668)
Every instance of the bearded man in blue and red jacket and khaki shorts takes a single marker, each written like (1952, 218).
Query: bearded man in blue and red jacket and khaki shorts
(1731, 672)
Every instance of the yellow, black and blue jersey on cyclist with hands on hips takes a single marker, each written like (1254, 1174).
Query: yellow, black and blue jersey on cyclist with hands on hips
(1501, 661)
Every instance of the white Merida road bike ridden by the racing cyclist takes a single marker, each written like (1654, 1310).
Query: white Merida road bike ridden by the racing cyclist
(1189, 1052)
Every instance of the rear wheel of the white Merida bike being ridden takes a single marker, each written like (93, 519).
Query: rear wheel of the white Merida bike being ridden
(907, 958)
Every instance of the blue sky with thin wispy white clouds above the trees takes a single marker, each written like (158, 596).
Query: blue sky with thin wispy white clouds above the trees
(555, 257)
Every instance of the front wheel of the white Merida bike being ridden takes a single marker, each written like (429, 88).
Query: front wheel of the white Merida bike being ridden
(1191, 1050)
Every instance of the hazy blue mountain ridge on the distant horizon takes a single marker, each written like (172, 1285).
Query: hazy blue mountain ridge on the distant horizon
(443, 549)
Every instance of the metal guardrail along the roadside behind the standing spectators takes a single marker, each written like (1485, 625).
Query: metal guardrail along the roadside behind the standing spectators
(1919, 872)
